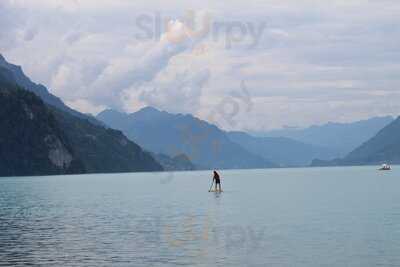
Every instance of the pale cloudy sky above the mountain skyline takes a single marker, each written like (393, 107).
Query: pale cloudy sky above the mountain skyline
(250, 65)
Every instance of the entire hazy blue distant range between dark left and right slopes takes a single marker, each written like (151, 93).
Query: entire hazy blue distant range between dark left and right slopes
(210, 147)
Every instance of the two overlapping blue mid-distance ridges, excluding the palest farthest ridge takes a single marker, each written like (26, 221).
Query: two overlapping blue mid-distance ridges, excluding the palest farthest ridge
(207, 145)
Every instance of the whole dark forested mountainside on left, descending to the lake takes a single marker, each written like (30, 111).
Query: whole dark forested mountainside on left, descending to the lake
(40, 139)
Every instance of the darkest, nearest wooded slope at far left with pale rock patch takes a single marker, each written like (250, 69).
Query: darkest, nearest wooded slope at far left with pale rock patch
(31, 141)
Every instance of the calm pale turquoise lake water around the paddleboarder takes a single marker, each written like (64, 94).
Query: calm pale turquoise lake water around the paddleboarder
(280, 217)
